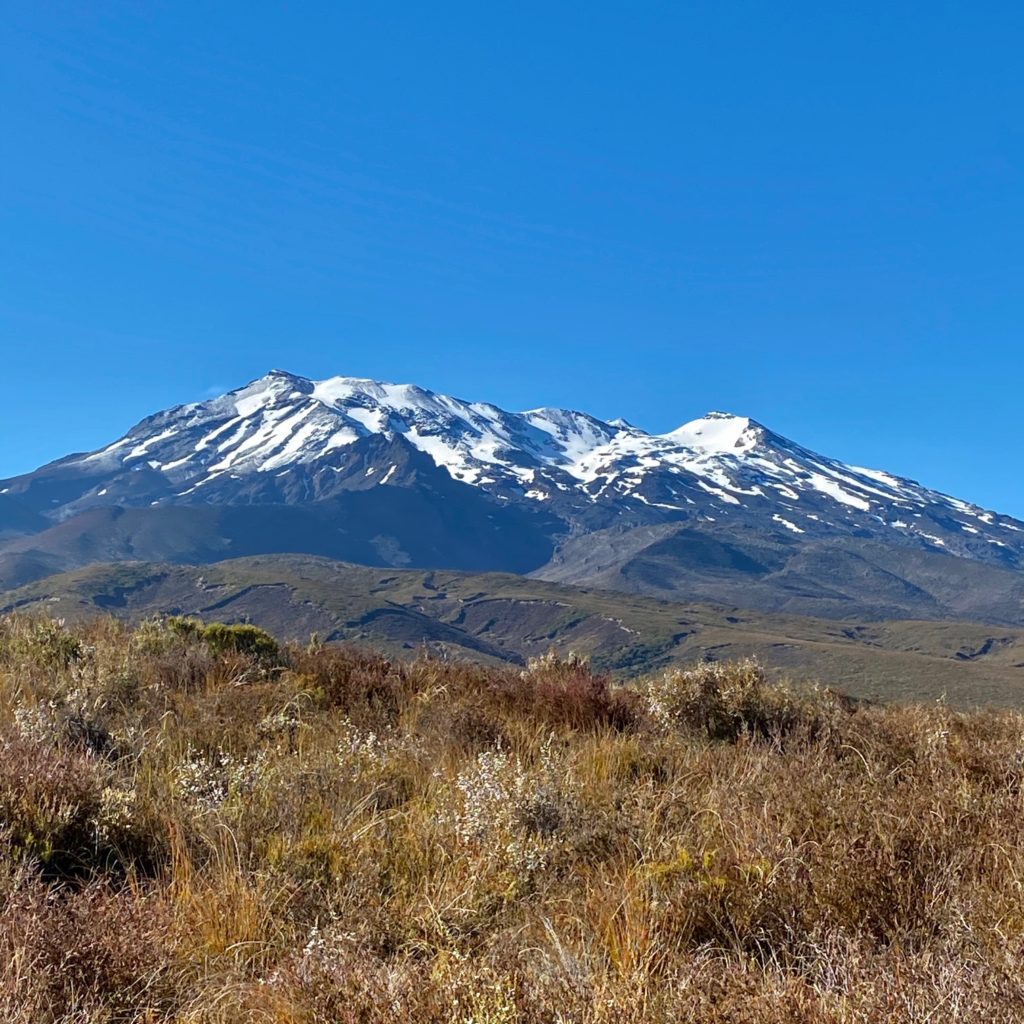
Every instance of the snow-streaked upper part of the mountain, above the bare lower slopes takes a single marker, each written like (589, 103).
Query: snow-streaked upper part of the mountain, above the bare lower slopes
(285, 439)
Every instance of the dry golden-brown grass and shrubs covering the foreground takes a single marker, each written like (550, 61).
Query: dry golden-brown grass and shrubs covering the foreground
(203, 826)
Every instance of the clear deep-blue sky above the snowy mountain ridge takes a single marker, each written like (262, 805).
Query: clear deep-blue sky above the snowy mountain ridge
(810, 214)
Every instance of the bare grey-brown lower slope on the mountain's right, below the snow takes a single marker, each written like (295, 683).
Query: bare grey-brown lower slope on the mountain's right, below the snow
(841, 578)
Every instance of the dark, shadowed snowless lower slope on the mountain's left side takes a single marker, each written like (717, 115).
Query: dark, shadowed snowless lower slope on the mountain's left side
(452, 525)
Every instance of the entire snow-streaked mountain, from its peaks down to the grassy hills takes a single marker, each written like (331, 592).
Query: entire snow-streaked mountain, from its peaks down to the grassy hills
(720, 509)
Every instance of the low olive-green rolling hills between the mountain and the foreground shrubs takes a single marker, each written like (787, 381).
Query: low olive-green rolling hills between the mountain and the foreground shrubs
(497, 618)
